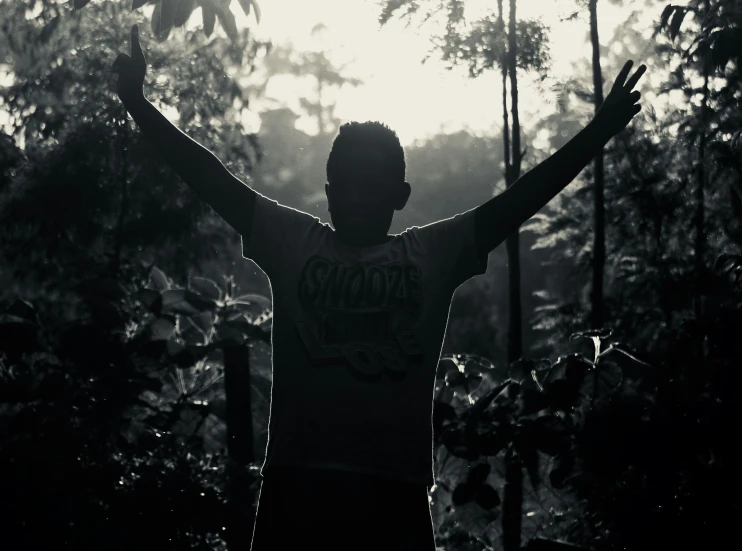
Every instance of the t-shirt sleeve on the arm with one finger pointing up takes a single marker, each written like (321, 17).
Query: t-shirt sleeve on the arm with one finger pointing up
(276, 235)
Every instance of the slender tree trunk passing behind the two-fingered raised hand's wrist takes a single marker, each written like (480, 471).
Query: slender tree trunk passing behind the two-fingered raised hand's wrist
(596, 297)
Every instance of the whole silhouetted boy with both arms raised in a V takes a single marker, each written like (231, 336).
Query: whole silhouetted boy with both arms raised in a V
(359, 318)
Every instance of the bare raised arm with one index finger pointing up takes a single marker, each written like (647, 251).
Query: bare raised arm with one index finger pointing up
(197, 166)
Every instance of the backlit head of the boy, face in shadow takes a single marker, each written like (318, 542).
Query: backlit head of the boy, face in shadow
(365, 180)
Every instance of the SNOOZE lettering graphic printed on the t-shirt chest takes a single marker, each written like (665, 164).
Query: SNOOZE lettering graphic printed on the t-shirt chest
(361, 315)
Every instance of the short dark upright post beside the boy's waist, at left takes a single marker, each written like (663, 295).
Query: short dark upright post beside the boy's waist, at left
(239, 447)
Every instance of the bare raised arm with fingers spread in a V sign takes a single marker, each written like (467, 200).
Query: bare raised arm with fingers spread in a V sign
(503, 214)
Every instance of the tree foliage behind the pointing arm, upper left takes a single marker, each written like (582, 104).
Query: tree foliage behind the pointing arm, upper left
(91, 192)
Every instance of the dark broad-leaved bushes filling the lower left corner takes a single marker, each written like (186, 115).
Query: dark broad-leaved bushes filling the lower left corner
(94, 430)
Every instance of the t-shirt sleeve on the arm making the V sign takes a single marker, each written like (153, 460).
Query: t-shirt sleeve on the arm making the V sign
(451, 247)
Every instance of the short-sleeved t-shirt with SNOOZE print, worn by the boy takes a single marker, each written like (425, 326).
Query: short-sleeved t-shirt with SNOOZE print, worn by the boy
(356, 339)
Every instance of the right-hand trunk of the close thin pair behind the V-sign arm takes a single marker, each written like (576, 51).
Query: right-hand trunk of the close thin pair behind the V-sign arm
(514, 327)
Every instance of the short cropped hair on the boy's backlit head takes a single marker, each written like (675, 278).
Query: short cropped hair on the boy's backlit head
(371, 135)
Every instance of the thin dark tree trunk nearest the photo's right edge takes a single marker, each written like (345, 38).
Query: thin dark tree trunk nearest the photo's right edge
(700, 189)
